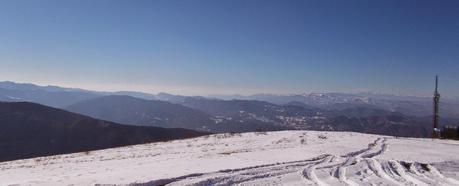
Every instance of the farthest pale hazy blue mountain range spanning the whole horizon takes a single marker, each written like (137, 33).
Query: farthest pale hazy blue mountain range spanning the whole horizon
(409, 105)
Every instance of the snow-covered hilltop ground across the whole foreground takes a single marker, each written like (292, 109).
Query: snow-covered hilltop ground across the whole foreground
(273, 158)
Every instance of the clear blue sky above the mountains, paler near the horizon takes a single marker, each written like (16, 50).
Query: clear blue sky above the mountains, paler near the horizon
(229, 46)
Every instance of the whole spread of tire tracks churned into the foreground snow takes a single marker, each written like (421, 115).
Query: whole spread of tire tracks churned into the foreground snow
(314, 171)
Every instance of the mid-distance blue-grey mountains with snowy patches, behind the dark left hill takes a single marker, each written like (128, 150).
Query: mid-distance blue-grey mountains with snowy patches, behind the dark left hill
(214, 115)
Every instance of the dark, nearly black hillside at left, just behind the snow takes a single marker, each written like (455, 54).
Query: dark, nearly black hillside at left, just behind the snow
(30, 130)
